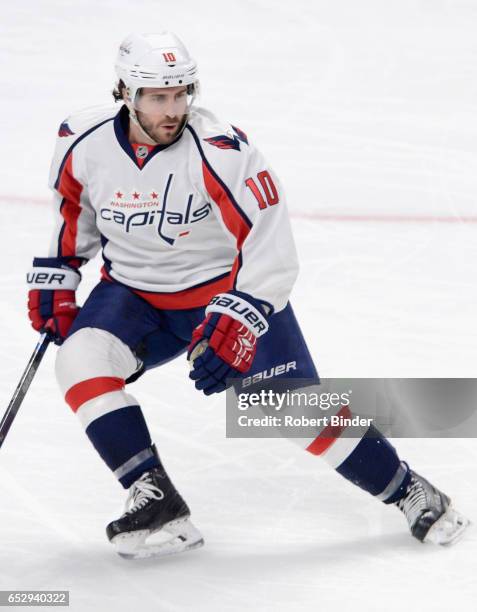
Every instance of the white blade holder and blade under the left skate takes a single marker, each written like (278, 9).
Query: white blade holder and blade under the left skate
(172, 538)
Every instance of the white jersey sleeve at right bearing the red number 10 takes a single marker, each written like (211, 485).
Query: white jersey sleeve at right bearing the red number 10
(251, 206)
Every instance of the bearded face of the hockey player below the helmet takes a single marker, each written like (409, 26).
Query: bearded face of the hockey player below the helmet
(161, 111)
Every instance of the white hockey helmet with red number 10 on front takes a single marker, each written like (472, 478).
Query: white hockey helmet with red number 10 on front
(155, 60)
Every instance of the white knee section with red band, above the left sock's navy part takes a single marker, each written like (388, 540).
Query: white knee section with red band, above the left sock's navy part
(91, 368)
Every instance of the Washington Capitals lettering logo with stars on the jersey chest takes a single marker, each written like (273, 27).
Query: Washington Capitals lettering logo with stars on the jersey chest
(153, 213)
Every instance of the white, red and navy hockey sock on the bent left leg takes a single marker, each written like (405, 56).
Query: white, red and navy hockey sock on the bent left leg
(91, 368)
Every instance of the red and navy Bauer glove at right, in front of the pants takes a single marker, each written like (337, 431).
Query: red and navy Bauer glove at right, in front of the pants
(225, 343)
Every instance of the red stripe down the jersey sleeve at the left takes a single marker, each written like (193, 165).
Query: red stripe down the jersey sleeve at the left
(71, 190)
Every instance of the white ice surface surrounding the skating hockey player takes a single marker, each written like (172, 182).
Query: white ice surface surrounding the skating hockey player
(368, 112)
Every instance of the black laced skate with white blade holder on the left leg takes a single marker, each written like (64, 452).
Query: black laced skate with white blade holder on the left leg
(156, 521)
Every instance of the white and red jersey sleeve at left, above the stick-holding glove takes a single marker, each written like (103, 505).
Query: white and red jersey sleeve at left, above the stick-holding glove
(75, 235)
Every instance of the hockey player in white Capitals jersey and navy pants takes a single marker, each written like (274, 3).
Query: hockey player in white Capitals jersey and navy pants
(198, 257)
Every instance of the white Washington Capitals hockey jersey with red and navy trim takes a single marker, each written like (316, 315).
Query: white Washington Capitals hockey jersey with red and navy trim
(177, 223)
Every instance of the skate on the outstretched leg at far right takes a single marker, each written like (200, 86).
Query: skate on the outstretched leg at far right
(429, 513)
